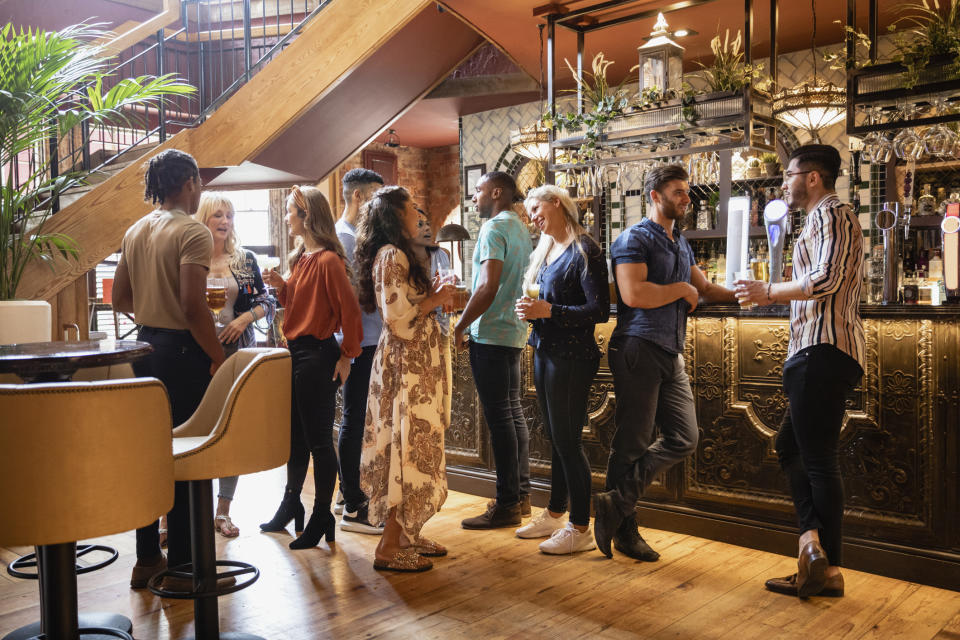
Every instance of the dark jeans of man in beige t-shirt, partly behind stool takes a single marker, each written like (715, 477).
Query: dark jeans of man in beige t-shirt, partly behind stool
(184, 369)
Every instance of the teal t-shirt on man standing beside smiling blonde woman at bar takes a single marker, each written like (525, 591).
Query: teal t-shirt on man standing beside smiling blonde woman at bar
(503, 238)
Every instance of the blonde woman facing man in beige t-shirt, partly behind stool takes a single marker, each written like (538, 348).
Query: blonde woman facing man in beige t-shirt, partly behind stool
(247, 302)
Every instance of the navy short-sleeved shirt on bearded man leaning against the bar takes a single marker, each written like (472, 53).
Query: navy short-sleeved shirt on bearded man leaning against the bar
(668, 261)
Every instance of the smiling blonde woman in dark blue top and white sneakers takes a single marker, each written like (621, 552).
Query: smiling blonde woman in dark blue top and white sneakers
(567, 295)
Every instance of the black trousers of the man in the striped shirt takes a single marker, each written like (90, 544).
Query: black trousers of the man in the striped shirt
(817, 381)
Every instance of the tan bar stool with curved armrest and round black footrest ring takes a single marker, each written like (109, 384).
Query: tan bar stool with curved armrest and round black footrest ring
(234, 431)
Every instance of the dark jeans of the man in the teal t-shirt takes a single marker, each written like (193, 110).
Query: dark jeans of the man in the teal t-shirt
(496, 373)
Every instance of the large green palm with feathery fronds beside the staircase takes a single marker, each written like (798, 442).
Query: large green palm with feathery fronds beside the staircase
(50, 84)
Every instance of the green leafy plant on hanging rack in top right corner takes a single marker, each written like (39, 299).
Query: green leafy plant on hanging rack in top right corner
(929, 33)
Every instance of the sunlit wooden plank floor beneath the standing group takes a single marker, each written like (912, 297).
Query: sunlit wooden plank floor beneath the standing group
(494, 585)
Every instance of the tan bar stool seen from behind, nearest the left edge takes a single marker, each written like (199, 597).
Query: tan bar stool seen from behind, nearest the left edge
(80, 460)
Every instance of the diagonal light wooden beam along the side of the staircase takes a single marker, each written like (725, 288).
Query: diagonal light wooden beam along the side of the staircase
(322, 56)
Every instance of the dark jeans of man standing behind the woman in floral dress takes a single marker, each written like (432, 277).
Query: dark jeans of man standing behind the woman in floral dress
(352, 423)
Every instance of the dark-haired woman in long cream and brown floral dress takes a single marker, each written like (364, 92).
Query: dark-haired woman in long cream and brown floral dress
(402, 464)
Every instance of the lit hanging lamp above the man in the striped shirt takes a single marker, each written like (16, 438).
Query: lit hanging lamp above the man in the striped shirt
(811, 106)
